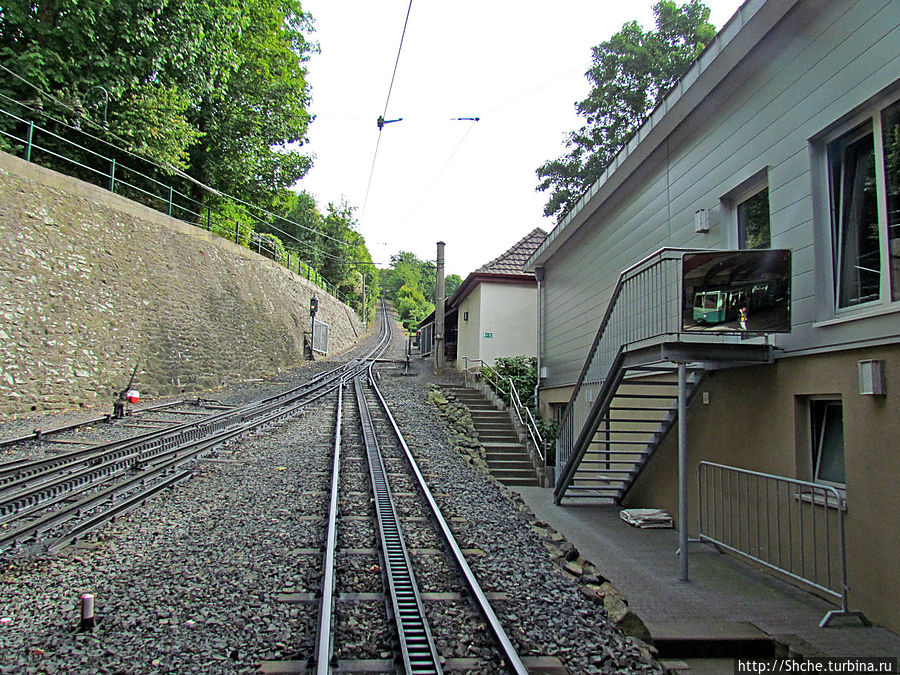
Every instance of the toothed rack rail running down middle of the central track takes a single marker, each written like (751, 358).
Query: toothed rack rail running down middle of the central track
(418, 651)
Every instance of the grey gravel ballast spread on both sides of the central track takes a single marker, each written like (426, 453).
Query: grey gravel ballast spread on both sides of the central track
(189, 582)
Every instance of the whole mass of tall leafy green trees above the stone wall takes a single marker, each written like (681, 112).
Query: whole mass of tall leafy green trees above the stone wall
(216, 88)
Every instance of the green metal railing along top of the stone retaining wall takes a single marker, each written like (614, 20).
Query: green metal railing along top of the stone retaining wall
(110, 173)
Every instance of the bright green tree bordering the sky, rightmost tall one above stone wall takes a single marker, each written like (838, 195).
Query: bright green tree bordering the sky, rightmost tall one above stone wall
(254, 114)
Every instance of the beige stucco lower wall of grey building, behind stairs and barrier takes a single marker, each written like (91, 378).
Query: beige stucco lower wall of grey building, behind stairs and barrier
(757, 419)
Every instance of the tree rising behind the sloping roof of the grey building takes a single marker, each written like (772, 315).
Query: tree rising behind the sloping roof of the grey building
(630, 74)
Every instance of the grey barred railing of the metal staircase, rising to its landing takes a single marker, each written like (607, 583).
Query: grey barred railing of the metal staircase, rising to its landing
(606, 347)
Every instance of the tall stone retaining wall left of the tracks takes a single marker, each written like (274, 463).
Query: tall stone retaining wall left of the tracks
(93, 284)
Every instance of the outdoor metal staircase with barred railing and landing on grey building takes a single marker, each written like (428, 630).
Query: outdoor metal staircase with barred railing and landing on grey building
(626, 399)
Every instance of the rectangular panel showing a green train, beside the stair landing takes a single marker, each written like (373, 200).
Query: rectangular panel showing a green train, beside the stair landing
(736, 291)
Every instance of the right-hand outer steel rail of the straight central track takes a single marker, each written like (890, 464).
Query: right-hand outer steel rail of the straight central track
(513, 660)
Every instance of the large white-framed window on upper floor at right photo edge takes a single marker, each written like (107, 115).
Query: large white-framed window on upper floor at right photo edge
(864, 190)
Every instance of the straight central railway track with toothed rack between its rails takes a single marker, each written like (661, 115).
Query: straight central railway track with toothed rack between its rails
(389, 560)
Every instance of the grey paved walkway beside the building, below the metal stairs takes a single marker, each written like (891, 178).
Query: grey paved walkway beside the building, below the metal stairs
(725, 596)
